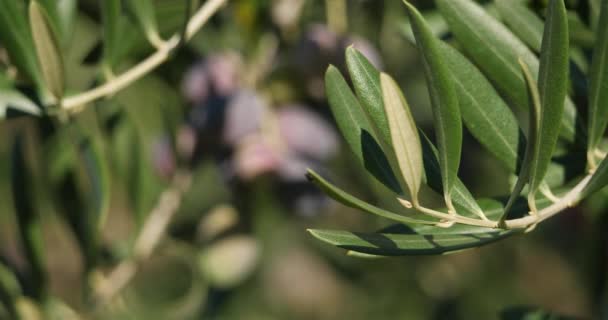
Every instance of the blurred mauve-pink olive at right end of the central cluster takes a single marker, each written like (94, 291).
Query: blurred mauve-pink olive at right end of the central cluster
(306, 133)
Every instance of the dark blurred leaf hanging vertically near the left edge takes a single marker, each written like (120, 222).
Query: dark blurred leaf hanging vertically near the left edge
(28, 218)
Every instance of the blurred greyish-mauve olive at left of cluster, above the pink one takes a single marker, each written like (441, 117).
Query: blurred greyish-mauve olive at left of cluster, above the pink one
(243, 116)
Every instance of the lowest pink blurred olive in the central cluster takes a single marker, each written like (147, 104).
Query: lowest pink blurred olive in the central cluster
(255, 157)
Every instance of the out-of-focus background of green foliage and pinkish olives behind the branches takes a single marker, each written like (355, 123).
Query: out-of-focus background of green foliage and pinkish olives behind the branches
(241, 111)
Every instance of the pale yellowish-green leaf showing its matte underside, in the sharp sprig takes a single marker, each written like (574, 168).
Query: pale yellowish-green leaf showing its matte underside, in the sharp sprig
(405, 139)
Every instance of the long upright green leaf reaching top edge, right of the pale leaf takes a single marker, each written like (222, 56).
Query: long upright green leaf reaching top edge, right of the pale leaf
(446, 113)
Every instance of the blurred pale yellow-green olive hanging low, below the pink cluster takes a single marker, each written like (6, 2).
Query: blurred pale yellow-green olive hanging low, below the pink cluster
(229, 262)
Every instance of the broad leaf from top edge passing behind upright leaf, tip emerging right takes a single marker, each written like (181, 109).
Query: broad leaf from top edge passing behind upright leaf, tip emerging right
(496, 51)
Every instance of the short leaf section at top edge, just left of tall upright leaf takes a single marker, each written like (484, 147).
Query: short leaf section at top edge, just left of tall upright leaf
(522, 21)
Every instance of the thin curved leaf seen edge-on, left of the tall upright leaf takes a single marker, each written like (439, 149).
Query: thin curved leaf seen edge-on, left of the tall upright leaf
(532, 146)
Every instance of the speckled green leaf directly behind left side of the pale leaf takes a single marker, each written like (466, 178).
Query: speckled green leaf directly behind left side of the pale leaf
(366, 80)
